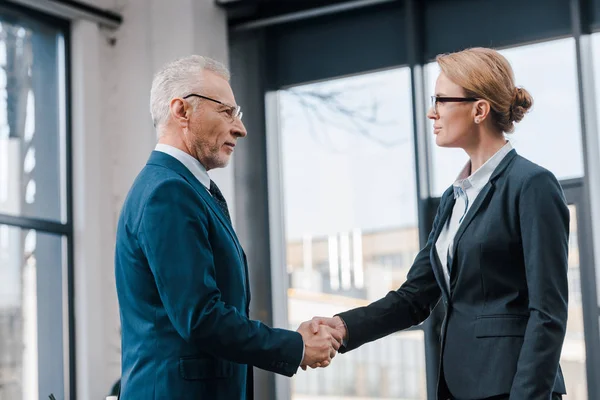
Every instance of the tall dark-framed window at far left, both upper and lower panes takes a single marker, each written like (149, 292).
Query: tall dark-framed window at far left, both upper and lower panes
(35, 230)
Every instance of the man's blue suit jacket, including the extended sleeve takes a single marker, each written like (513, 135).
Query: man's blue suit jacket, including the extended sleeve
(182, 284)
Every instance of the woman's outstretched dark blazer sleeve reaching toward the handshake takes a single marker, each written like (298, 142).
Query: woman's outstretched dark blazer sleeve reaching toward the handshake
(410, 305)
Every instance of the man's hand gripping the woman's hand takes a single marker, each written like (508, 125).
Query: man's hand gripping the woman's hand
(320, 344)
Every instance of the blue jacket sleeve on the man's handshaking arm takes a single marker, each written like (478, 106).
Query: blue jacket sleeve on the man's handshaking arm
(173, 235)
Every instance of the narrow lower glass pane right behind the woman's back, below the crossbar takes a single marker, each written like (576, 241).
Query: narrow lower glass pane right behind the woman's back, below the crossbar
(573, 354)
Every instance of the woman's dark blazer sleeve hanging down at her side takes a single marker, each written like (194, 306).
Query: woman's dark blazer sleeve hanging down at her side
(544, 221)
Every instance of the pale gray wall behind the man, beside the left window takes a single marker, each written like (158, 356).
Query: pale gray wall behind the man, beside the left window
(111, 75)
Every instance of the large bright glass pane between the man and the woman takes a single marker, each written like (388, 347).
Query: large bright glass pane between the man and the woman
(351, 223)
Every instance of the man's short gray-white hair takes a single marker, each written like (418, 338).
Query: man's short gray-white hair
(179, 78)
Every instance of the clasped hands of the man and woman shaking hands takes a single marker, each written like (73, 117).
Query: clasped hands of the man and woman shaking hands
(322, 339)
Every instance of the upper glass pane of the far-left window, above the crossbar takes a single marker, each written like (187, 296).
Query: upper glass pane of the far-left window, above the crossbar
(32, 115)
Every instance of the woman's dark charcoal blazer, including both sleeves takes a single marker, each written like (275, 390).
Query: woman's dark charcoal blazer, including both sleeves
(506, 312)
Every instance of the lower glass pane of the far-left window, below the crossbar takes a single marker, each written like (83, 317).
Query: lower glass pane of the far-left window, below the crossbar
(31, 317)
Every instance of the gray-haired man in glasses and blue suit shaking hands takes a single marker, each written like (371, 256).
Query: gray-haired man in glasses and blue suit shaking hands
(181, 274)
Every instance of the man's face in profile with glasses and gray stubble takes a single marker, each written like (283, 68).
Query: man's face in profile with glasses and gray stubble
(213, 130)
